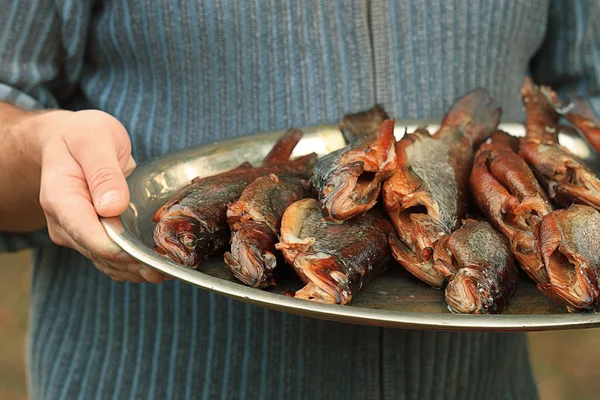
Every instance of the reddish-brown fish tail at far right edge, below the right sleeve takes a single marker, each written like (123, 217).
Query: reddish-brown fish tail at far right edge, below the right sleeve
(579, 113)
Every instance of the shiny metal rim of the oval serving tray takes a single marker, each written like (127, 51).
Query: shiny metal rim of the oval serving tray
(348, 314)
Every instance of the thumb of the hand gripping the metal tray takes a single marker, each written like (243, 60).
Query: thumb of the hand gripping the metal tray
(98, 156)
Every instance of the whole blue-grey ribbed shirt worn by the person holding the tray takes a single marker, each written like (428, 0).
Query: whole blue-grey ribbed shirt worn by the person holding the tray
(180, 73)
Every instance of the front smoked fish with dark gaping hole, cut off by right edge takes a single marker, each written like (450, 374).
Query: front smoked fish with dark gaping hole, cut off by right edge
(569, 245)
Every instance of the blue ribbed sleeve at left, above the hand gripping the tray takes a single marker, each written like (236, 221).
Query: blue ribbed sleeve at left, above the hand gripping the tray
(42, 45)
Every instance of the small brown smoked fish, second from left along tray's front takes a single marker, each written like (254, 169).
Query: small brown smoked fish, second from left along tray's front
(254, 220)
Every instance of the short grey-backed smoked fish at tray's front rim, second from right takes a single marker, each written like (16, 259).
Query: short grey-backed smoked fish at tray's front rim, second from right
(479, 266)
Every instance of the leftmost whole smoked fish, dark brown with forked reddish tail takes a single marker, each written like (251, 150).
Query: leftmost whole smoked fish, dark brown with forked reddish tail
(193, 224)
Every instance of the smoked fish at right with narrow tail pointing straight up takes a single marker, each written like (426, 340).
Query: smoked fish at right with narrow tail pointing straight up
(564, 176)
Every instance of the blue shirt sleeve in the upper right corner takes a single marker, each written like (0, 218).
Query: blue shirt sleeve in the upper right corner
(569, 58)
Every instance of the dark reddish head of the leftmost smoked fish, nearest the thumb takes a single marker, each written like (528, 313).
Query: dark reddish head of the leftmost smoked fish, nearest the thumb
(182, 238)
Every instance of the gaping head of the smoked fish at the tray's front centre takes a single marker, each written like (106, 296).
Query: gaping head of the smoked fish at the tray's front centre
(325, 282)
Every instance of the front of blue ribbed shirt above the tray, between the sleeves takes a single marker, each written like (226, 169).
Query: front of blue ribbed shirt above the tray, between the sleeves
(206, 70)
